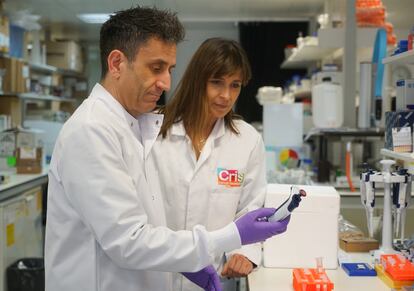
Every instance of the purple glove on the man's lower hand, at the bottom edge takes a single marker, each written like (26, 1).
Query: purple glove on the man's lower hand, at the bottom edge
(206, 278)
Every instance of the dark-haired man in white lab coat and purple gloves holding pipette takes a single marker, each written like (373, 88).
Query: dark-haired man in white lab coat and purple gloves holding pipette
(105, 223)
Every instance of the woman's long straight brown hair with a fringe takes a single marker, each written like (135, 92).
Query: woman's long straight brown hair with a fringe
(215, 58)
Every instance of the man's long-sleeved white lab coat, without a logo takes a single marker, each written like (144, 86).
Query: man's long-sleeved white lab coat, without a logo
(105, 223)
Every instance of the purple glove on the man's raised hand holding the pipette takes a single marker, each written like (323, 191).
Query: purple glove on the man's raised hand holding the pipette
(253, 226)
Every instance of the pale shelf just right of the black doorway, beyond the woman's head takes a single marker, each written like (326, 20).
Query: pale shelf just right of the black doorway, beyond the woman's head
(305, 56)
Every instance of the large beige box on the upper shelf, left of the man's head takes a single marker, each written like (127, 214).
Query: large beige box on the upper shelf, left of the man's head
(65, 55)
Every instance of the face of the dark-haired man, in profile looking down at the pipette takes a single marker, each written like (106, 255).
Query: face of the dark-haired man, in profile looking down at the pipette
(143, 81)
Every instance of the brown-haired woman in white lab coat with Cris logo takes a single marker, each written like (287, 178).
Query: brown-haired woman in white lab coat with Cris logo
(211, 163)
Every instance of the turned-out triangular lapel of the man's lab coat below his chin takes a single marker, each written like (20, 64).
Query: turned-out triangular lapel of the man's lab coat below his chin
(150, 125)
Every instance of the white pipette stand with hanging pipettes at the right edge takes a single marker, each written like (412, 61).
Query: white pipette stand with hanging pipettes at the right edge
(400, 183)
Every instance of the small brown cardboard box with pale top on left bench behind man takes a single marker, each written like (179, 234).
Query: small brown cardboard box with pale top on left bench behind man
(29, 160)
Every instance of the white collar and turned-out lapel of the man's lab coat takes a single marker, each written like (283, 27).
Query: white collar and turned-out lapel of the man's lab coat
(149, 123)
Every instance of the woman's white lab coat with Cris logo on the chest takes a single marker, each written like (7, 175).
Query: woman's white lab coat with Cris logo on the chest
(192, 191)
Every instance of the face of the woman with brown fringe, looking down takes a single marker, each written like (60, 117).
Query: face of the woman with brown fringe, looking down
(222, 93)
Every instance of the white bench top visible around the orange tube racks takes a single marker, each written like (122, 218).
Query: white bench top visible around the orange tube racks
(269, 279)
